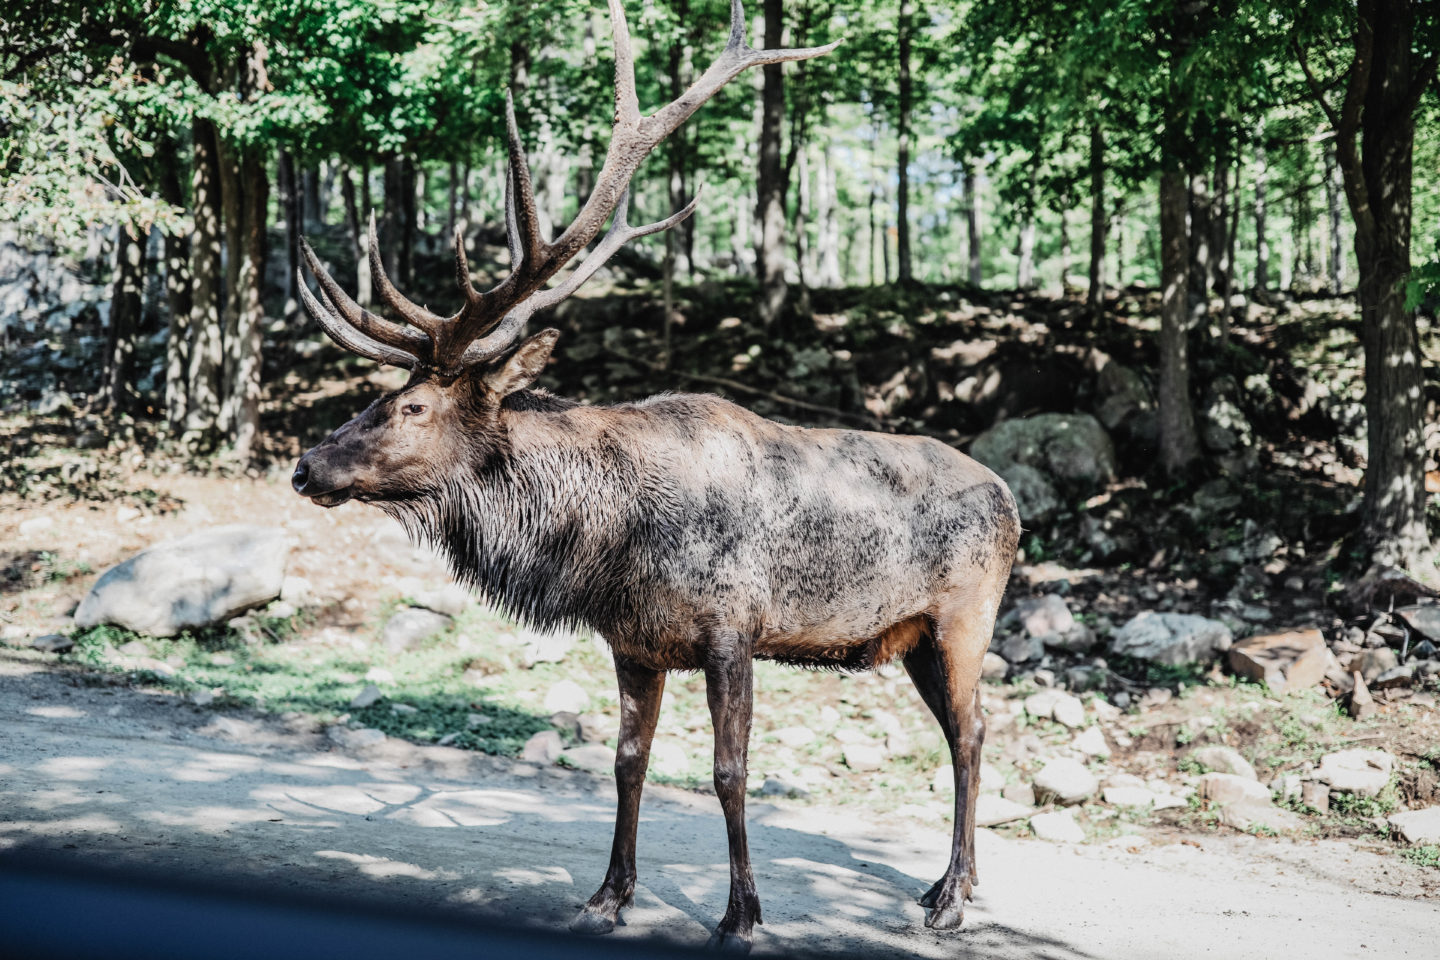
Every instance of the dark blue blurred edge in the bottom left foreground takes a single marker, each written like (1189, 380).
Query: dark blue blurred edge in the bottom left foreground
(58, 910)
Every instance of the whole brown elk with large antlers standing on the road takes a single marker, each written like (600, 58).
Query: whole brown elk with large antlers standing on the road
(692, 535)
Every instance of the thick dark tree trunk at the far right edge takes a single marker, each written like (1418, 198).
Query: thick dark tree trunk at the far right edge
(1379, 173)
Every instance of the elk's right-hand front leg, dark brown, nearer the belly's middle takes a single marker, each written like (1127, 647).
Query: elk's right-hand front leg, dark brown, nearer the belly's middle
(729, 689)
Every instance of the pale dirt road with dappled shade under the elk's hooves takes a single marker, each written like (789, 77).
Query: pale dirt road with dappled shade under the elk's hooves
(125, 776)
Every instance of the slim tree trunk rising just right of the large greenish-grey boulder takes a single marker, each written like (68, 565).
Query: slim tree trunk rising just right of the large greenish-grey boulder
(1180, 447)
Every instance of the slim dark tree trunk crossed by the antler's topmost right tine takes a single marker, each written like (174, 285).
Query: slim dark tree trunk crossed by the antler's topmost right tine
(770, 253)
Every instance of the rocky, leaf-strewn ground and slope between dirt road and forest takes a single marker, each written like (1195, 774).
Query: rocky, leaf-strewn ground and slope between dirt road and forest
(1173, 661)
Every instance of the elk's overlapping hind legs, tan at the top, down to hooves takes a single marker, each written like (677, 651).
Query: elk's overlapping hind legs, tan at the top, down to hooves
(945, 669)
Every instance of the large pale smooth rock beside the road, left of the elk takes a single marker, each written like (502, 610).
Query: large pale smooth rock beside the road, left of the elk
(207, 578)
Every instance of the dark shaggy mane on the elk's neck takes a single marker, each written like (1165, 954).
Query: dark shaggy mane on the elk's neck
(542, 530)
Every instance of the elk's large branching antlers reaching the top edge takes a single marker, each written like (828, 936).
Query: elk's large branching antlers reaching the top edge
(490, 322)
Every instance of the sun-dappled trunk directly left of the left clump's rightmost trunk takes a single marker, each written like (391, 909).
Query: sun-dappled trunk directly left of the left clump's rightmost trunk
(207, 316)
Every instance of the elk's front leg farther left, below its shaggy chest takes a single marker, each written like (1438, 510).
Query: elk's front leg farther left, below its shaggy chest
(640, 709)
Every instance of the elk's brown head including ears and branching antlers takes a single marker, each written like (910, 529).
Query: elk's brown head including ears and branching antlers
(463, 366)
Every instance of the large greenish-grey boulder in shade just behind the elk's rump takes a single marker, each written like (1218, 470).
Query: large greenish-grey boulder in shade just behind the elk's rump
(1072, 448)
